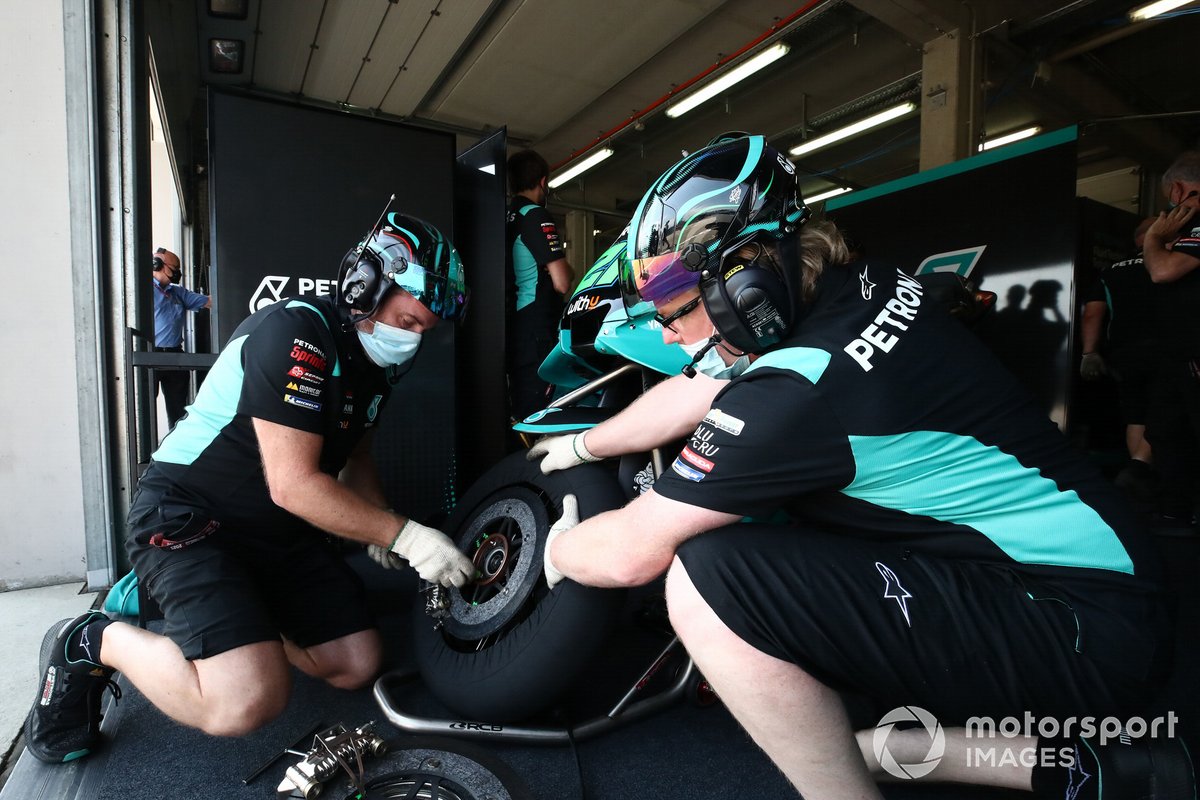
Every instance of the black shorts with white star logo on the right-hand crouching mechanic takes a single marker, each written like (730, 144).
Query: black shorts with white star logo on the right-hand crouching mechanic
(958, 639)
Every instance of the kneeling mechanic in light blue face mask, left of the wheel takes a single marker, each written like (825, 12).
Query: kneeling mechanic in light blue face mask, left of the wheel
(229, 531)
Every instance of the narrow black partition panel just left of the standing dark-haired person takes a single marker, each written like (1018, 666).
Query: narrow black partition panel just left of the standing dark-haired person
(479, 220)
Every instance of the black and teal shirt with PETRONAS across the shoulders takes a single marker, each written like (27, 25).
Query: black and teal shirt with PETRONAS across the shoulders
(883, 418)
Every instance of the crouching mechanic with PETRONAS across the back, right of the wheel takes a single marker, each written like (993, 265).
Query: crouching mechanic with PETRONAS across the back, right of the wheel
(949, 550)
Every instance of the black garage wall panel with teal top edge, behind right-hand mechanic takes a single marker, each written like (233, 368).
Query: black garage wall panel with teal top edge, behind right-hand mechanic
(1007, 220)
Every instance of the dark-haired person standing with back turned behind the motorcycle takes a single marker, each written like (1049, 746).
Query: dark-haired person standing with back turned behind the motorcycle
(538, 279)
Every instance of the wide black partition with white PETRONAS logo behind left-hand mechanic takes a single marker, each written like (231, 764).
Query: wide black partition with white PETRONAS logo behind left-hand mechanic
(292, 189)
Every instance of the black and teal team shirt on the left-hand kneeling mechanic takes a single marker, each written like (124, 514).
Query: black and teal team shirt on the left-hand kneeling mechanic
(290, 364)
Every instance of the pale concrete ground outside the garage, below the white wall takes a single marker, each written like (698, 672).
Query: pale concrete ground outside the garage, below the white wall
(26, 616)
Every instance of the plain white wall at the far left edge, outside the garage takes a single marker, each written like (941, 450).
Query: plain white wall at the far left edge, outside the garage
(41, 503)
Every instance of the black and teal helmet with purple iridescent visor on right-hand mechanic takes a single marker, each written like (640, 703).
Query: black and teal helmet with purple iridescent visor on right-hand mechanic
(735, 191)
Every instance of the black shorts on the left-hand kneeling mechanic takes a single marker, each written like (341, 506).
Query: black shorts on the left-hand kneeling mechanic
(237, 586)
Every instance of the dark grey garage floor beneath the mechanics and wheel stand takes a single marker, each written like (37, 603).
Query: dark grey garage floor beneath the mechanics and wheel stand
(685, 753)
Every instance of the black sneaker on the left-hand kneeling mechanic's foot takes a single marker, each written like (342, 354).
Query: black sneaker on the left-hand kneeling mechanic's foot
(64, 724)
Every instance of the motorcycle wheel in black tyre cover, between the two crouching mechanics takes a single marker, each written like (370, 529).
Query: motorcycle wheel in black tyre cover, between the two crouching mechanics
(509, 651)
